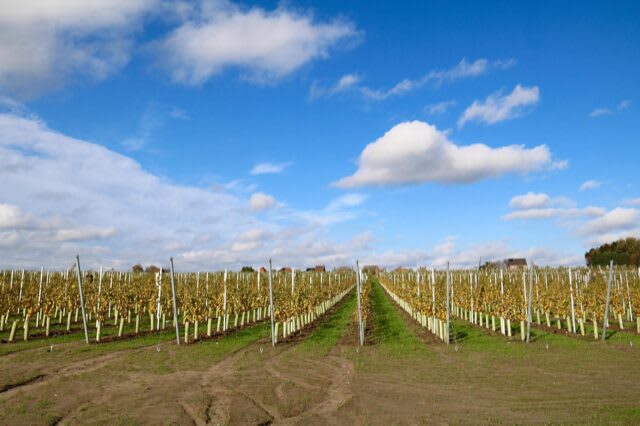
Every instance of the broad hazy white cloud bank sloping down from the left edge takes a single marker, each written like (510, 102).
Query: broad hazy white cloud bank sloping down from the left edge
(62, 196)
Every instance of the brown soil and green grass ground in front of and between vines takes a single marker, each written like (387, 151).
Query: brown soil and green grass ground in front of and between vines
(320, 374)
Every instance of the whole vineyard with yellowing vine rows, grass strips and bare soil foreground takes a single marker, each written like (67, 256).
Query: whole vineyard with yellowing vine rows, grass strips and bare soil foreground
(294, 346)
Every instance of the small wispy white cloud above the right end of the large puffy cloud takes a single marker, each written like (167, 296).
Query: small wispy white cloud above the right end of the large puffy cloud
(498, 107)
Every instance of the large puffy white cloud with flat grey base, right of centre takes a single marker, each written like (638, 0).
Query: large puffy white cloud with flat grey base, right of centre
(416, 152)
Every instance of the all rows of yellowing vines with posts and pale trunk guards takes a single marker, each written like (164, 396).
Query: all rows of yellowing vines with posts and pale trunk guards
(212, 303)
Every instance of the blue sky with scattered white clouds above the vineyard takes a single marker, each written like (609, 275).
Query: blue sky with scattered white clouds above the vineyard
(225, 133)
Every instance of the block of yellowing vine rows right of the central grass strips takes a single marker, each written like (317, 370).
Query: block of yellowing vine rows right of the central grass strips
(579, 301)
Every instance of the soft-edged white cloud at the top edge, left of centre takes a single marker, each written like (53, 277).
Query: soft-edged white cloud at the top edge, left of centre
(267, 45)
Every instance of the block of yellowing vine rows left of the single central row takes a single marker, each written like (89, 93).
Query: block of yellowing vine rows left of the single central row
(51, 301)
